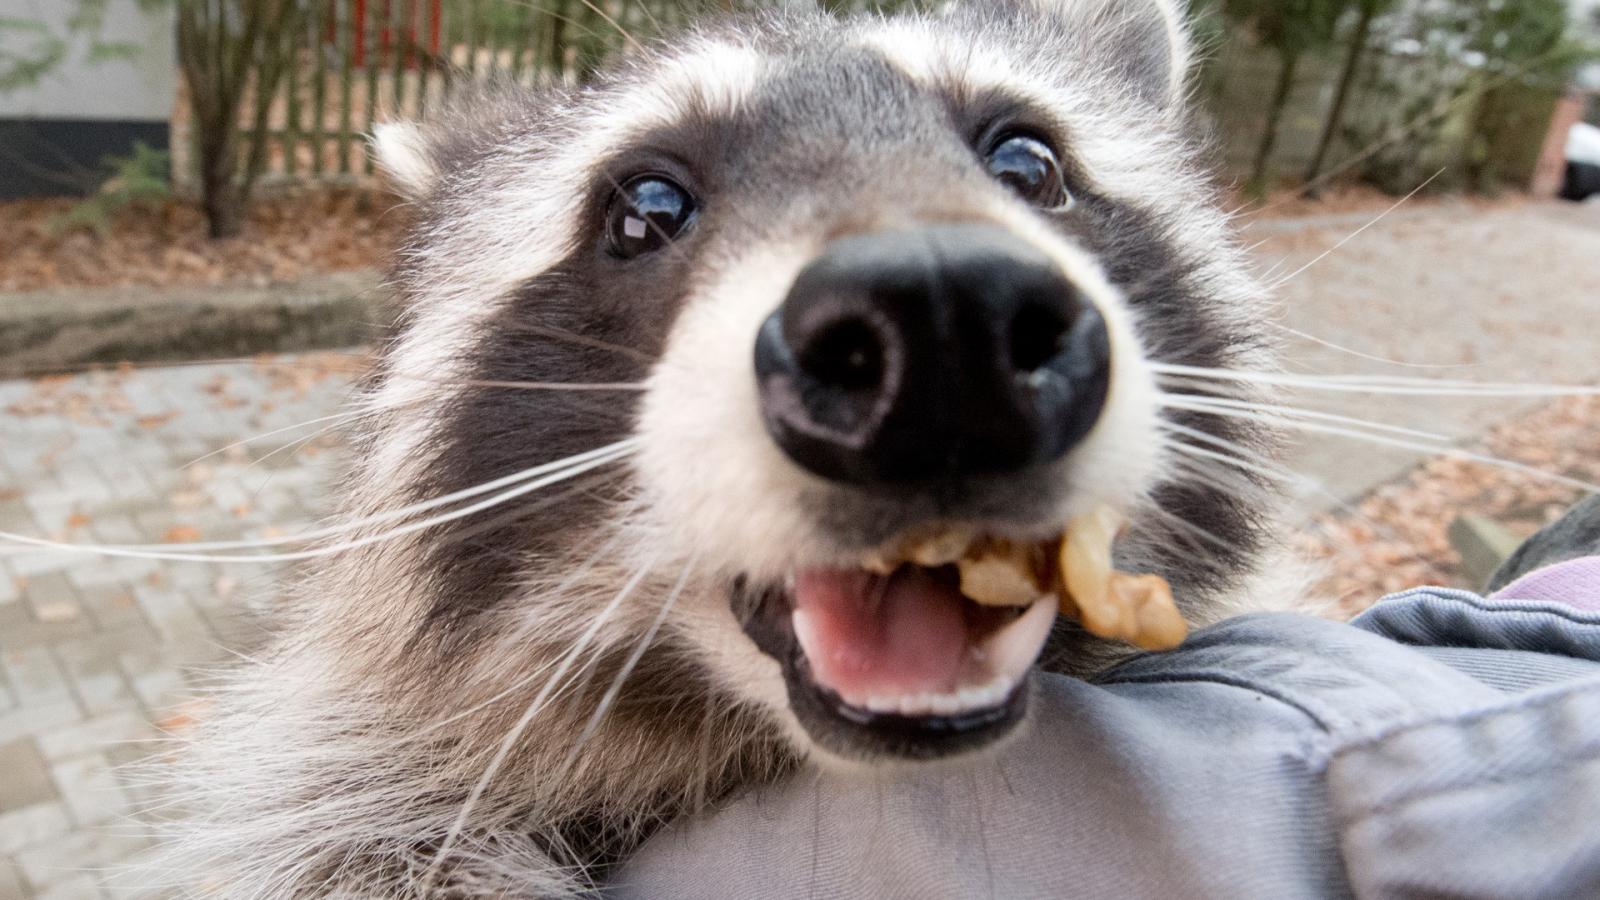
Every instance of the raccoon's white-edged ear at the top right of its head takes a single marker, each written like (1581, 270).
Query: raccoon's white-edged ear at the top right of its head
(1145, 41)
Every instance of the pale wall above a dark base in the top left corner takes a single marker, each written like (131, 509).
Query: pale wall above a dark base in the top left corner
(140, 89)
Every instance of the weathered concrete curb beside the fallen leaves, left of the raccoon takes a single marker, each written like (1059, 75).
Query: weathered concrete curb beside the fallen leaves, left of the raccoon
(63, 331)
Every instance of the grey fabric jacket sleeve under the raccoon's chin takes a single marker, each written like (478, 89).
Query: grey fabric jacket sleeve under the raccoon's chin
(1441, 747)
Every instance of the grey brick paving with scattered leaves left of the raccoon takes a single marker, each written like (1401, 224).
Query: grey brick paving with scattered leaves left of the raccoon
(97, 654)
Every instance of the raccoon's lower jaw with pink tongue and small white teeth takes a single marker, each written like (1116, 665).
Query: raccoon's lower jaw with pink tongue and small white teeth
(897, 665)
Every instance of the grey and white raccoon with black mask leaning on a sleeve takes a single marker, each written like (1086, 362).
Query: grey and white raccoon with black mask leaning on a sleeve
(748, 307)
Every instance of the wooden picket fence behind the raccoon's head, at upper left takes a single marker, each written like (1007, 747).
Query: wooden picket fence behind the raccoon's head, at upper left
(358, 63)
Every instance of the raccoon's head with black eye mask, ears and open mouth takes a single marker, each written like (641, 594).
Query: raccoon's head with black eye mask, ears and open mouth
(874, 278)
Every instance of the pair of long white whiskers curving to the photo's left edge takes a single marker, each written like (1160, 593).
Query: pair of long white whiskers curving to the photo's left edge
(145, 552)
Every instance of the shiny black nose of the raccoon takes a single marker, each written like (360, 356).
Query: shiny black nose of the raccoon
(934, 355)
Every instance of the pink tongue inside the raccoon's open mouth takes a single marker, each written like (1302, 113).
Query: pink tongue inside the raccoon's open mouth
(874, 638)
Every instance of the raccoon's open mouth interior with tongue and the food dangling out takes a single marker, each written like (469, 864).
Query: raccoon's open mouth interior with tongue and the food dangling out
(946, 624)
